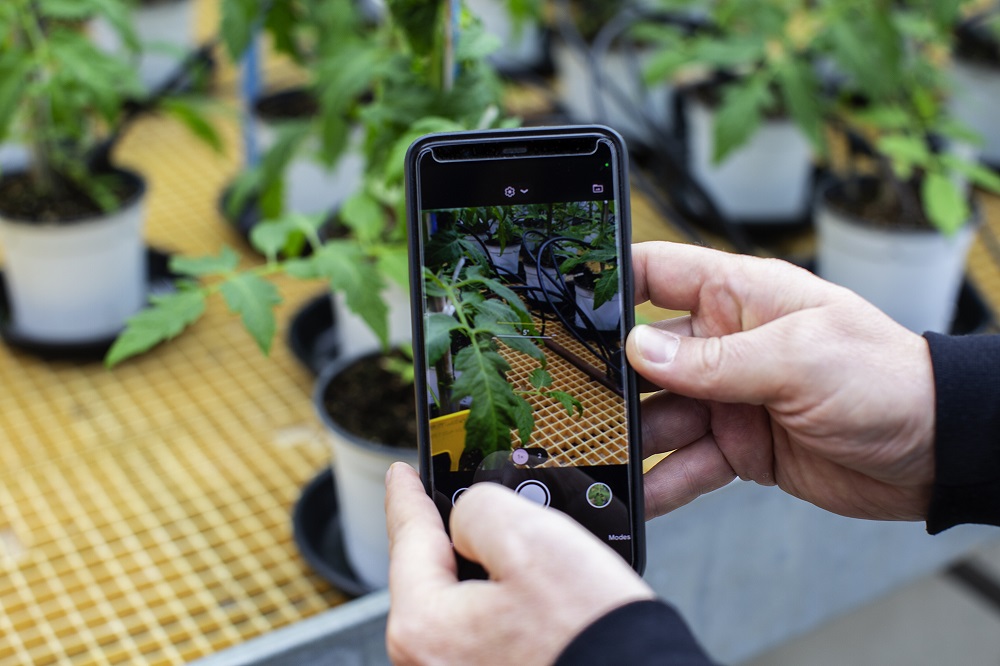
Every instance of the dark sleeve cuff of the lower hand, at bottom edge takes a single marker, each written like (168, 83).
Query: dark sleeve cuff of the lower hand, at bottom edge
(640, 633)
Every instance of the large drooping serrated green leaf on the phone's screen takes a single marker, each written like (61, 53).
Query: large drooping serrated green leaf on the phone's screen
(482, 377)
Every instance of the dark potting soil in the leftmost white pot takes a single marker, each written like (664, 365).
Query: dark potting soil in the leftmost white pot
(20, 199)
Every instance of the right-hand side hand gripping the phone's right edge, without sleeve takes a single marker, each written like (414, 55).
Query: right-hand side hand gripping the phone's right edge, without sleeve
(782, 378)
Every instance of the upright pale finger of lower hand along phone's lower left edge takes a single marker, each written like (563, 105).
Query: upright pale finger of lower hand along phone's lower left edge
(420, 552)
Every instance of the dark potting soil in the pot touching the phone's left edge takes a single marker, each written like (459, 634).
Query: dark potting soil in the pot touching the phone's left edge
(374, 403)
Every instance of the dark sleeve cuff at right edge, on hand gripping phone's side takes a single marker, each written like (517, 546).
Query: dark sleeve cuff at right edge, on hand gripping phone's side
(967, 431)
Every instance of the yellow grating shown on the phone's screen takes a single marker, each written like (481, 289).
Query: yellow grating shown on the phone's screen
(598, 437)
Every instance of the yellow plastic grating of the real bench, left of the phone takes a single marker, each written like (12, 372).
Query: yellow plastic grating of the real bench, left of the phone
(145, 512)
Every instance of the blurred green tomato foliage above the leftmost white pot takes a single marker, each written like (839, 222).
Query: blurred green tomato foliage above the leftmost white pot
(61, 96)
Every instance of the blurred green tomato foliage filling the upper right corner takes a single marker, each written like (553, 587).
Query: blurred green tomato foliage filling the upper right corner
(888, 61)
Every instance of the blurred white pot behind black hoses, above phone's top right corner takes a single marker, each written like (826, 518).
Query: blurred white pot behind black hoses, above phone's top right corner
(576, 88)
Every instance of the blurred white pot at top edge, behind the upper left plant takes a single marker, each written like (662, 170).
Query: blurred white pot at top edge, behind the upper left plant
(166, 35)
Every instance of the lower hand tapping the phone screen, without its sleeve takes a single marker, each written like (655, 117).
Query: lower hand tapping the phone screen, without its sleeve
(549, 578)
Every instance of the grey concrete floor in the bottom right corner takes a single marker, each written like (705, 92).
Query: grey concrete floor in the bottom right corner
(934, 621)
